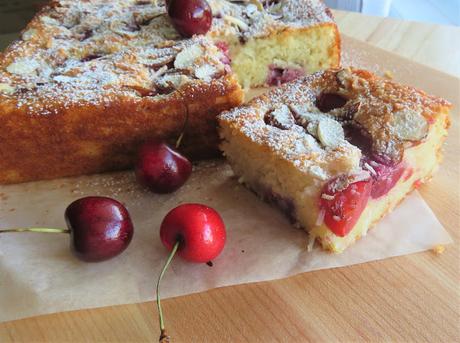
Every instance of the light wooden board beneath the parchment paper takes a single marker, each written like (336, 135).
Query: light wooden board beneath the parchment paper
(410, 298)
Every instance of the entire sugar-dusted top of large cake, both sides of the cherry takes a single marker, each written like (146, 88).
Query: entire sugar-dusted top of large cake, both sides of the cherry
(88, 51)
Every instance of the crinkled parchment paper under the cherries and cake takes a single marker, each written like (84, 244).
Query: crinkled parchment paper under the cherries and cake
(38, 274)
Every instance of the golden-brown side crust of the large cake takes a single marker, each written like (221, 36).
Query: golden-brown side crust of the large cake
(100, 137)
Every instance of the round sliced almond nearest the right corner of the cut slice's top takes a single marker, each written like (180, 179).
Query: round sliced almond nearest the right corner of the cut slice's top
(409, 125)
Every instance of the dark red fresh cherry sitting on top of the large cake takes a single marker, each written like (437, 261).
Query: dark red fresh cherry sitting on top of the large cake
(190, 17)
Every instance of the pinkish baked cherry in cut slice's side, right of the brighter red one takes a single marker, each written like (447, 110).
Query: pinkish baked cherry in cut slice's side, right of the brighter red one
(384, 176)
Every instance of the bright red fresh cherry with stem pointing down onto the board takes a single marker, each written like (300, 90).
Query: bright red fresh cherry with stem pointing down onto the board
(196, 233)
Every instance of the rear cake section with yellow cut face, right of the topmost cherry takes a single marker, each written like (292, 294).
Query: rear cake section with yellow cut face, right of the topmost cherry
(274, 41)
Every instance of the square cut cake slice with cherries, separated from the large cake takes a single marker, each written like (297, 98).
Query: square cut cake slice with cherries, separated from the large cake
(336, 150)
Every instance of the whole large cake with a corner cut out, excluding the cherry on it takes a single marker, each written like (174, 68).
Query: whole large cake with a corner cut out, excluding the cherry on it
(89, 81)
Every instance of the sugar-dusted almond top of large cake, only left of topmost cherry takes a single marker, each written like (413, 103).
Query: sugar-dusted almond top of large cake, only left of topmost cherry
(94, 52)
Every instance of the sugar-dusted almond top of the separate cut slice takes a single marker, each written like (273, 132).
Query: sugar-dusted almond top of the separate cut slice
(325, 122)
